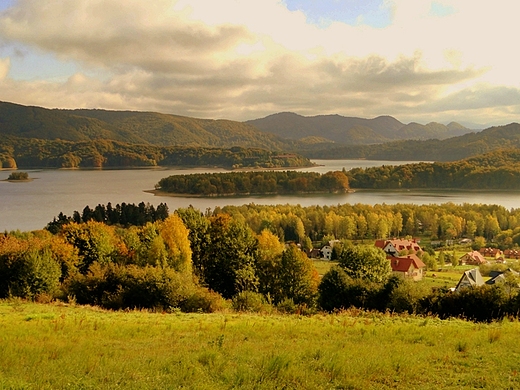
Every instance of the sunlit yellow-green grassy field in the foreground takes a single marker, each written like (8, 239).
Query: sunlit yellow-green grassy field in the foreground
(56, 346)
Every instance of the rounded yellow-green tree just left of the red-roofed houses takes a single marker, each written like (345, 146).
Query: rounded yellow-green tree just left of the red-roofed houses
(365, 262)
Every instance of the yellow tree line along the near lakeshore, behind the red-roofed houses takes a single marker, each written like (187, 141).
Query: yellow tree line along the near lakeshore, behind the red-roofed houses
(495, 224)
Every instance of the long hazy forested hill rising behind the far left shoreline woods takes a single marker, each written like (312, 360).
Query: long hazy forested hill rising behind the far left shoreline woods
(132, 127)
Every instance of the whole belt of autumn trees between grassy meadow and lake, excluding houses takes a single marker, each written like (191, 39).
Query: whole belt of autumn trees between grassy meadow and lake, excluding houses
(251, 257)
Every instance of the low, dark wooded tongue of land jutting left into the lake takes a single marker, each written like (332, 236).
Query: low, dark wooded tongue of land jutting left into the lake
(254, 182)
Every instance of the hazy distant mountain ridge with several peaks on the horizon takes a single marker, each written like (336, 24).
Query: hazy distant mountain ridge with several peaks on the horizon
(353, 130)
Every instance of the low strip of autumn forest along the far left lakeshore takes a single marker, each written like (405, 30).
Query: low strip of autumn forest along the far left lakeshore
(39, 153)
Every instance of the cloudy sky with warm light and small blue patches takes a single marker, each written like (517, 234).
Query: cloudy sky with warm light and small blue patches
(416, 60)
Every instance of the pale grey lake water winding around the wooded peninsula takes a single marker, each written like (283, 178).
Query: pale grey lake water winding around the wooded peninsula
(31, 205)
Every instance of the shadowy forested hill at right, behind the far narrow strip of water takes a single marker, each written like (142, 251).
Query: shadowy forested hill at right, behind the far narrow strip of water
(456, 148)
